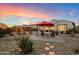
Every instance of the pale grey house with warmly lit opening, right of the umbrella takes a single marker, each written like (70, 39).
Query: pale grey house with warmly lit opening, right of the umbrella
(62, 25)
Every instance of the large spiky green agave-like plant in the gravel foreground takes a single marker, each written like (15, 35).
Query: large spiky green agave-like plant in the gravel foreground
(25, 44)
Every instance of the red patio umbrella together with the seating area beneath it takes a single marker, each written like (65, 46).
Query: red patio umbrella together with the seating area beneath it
(45, 28)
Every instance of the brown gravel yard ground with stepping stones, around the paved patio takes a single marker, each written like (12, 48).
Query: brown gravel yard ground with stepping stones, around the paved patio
(41, 47)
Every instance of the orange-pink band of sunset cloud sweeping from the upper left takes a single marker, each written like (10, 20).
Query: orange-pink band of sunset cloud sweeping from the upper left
(6, 10)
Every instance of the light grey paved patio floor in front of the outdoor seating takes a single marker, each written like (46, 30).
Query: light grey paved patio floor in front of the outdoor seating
(49, 39)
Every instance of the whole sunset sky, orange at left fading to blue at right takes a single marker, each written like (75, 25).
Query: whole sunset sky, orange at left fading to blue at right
(29, 13)
